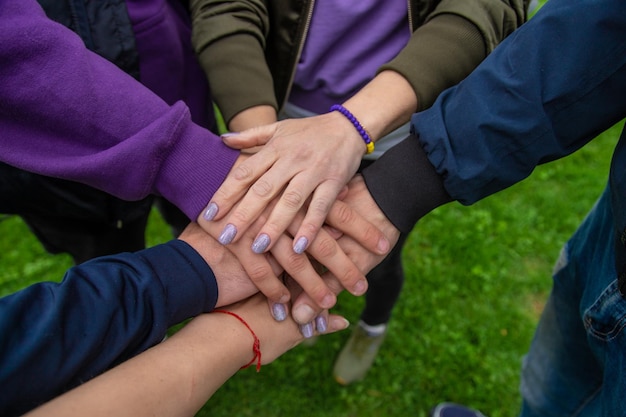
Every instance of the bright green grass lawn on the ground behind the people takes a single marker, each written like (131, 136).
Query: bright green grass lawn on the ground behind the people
(477, 278)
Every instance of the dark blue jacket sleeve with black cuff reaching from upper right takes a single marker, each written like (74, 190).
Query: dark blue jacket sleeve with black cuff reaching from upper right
(549, 88)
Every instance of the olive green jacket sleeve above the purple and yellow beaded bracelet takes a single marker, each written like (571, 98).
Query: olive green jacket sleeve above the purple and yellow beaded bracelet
(455, 37)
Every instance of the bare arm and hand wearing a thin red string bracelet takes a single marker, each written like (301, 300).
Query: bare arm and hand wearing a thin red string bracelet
(178, 376)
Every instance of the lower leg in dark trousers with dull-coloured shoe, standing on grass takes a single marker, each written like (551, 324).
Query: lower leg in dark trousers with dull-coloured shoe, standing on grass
(385, 284)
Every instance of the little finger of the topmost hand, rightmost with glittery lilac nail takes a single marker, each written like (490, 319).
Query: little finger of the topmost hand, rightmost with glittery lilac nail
(319, 207)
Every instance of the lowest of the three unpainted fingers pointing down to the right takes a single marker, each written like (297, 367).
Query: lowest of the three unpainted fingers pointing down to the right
(300, 268)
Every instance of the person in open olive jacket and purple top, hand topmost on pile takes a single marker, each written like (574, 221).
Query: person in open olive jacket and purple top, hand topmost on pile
(307, 162)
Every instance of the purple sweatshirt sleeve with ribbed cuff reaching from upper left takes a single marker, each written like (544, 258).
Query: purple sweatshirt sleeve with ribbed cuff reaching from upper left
(68, 113)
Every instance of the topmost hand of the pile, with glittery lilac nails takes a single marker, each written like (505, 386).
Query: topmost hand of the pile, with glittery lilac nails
(301, 160)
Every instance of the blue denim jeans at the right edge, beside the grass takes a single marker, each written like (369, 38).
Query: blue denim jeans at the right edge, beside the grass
(576, 365)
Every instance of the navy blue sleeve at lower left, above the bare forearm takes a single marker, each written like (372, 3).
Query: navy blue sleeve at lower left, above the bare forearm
(57, 335)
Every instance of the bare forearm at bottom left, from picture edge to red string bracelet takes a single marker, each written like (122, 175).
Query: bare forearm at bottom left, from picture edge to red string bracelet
(175, 377)
